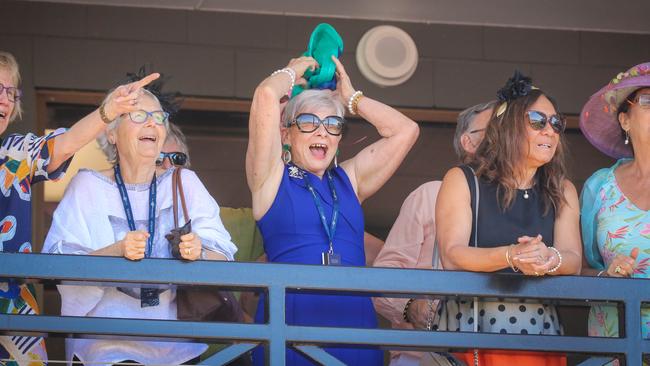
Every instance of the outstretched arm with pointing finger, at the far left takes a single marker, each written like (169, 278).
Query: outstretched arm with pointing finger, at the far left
(121, 100)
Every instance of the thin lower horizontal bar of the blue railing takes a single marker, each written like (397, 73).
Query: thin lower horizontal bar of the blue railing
(165, 330)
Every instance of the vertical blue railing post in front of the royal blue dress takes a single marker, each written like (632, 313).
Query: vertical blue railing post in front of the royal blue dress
(277, 343)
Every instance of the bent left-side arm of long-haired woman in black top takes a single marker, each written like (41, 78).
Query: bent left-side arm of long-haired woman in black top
(454, 228)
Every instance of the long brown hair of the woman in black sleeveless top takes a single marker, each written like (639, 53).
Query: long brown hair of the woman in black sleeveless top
(502, 153)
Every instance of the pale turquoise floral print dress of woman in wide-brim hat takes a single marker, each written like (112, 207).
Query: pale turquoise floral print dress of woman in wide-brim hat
(619, 227)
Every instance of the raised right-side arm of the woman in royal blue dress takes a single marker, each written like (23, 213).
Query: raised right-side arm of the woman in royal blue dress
(374, 165)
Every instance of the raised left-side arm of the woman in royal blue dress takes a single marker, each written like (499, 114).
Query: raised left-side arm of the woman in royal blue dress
(263, 157)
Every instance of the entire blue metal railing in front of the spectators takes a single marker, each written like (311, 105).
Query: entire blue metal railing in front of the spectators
(278, 279)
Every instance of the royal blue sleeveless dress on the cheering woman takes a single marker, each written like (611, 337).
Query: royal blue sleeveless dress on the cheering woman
(293, 233)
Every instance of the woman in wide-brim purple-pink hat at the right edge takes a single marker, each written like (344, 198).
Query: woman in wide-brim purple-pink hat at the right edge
(615, 204)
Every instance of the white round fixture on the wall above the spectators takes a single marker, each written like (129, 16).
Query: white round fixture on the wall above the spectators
(387, 56)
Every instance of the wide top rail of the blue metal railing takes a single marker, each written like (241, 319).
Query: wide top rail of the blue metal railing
(351, 279)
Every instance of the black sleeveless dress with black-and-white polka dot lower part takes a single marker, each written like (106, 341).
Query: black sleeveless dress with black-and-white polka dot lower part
(496, 228)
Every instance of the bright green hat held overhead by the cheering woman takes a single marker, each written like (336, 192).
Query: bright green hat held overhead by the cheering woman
(324, 43)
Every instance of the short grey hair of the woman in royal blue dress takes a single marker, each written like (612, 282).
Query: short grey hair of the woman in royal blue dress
(312, 99)
